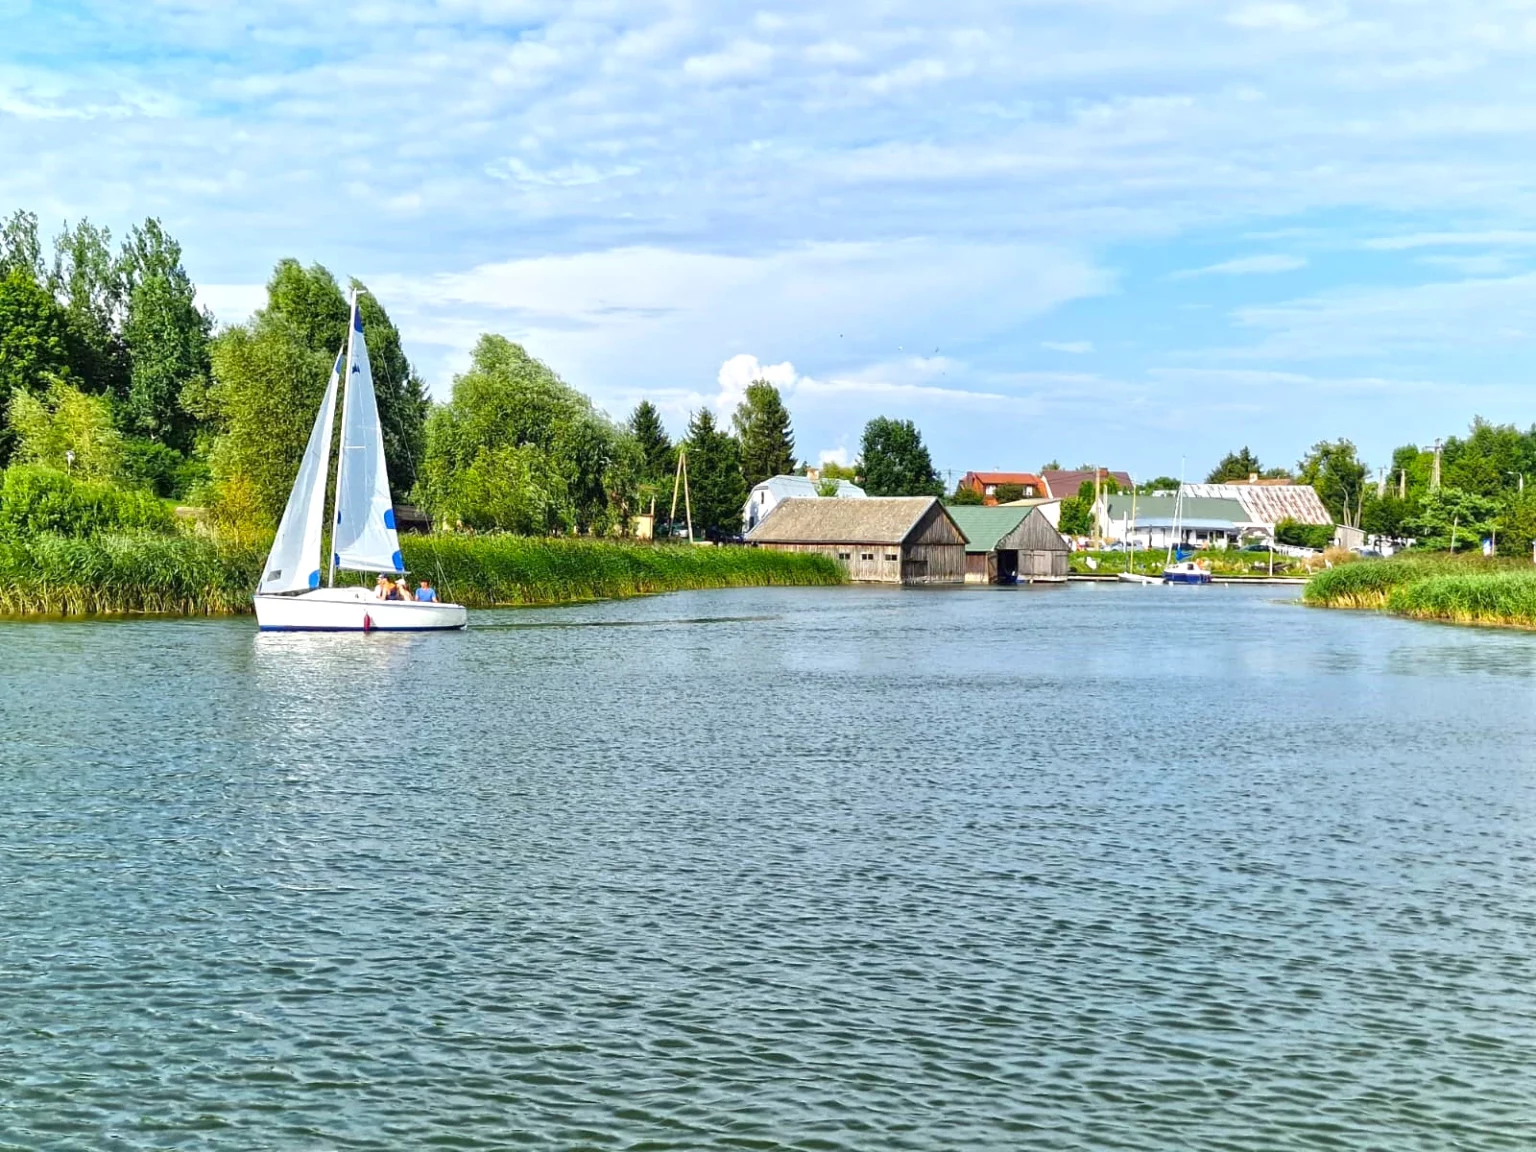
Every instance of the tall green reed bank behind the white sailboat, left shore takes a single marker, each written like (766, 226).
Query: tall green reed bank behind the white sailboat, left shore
(196, 577)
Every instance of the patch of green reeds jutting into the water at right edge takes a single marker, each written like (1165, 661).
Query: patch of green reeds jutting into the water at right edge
(1452, 591)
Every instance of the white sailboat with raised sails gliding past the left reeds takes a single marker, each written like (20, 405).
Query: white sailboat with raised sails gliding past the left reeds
(290, 597)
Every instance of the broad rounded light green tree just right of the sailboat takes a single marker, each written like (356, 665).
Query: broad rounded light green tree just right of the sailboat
(518, 449)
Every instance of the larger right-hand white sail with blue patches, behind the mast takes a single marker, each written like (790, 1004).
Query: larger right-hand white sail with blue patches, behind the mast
(366, 538)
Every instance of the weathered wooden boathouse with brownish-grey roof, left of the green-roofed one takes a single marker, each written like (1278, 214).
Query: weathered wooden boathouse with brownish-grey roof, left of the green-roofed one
(893, 540)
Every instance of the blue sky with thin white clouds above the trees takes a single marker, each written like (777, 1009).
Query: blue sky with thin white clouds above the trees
(1102, 231)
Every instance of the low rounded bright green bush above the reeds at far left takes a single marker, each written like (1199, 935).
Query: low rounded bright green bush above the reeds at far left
(39, 502)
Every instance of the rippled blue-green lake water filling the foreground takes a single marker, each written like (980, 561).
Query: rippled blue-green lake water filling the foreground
(1070, 869)
